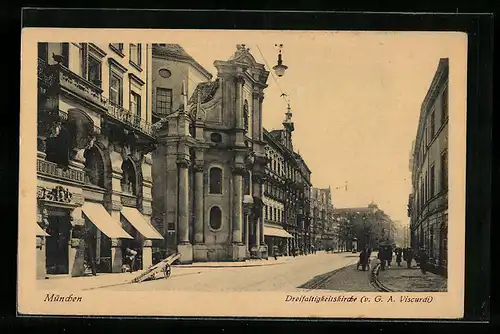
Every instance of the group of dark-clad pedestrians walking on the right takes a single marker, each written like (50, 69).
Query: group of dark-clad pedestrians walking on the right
(385, 255)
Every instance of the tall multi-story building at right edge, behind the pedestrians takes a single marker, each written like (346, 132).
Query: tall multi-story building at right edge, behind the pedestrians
(428, 202)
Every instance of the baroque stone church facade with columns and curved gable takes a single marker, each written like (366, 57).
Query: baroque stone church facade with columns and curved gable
(210, 162)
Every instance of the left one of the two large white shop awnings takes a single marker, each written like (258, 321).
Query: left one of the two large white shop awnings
(98, 215)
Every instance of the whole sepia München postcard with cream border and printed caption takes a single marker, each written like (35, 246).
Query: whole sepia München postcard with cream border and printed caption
(317, 168)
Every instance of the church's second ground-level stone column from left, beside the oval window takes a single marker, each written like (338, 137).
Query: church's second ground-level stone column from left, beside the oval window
(199, 248)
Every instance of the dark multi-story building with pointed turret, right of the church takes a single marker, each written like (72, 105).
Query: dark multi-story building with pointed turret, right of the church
(286, 192)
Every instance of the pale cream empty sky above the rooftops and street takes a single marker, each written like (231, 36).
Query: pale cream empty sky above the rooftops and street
(355, 99)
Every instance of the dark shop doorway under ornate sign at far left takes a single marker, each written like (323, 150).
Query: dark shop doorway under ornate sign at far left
(57, 243)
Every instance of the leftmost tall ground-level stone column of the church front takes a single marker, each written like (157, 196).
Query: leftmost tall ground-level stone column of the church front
(184, 247)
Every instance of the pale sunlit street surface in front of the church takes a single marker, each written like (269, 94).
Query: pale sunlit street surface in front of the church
(285, 275)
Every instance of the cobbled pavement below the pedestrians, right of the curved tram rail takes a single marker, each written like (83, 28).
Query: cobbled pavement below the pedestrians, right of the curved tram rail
(411, 280)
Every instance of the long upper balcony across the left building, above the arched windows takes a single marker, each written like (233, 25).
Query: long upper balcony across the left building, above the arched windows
(58, 76)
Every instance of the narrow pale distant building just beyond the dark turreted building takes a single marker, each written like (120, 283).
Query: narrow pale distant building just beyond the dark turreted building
(323, 224)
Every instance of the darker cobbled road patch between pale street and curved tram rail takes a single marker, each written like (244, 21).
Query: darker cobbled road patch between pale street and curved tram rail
(346, 279)
